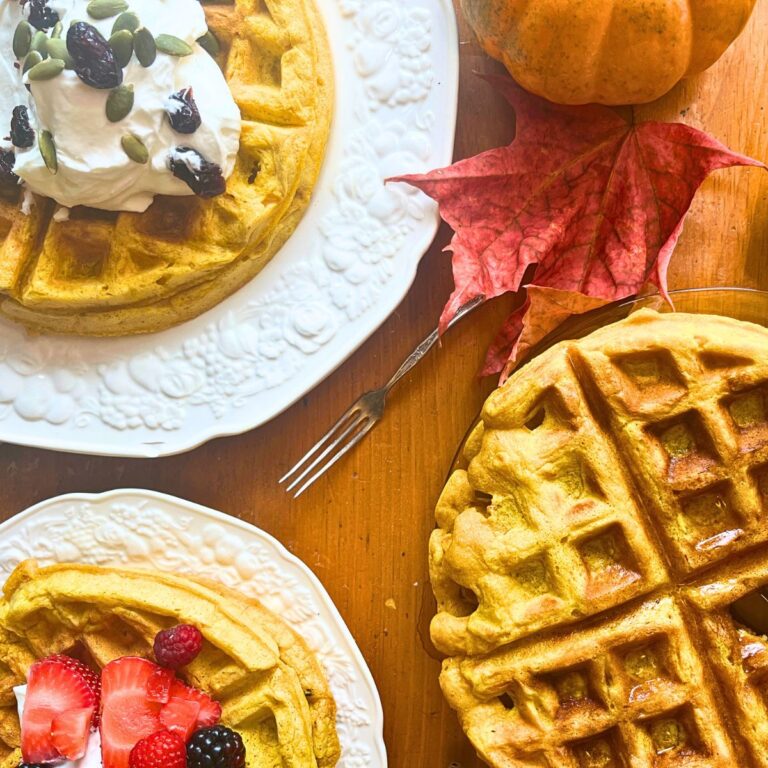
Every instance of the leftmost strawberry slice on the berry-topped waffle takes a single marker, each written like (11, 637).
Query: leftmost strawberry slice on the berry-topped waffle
(55, 685)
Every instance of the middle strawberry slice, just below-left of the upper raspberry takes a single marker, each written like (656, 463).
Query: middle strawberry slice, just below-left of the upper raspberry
(127, 715)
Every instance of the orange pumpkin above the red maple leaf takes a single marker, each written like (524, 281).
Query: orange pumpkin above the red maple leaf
(606, 51)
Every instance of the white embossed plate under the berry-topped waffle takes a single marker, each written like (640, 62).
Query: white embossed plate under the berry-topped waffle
(146, 528)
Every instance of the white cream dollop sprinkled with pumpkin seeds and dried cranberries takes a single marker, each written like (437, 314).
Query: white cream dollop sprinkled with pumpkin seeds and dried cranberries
(93, 167)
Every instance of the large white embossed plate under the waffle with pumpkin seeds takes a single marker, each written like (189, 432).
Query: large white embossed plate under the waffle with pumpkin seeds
(343, 272)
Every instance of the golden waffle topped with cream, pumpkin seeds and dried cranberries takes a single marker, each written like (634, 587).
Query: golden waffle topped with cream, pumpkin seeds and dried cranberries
(110, 274)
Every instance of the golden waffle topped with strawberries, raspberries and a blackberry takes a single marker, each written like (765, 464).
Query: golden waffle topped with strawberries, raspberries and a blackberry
(271, 687)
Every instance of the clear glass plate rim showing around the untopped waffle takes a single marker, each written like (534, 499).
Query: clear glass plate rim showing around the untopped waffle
(747, 304)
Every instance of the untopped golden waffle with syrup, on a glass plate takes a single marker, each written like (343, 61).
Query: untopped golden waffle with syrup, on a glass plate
(588, 558)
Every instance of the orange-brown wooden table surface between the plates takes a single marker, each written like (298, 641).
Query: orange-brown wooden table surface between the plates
(364, 529)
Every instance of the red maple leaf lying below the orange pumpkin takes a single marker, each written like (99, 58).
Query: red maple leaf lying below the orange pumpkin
(592, 204)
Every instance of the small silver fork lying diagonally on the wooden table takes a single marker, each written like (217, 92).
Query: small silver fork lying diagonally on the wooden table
(359, 419)
